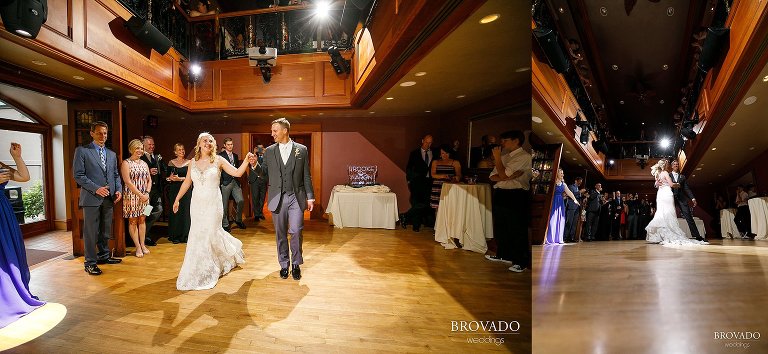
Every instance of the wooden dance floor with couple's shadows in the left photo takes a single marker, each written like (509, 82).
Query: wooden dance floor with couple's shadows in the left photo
(362, 291)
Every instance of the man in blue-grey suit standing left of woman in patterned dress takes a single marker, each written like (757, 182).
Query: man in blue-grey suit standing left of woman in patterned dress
(95, 170)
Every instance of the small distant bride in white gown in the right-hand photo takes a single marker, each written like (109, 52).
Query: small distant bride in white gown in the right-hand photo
(664, 228)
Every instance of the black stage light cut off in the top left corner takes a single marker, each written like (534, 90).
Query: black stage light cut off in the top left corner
(24, 17)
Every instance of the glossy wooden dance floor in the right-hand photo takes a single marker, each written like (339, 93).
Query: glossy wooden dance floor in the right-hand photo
(633, 297)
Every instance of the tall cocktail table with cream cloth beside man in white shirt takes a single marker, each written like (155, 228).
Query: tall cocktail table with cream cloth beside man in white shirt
(464, 213)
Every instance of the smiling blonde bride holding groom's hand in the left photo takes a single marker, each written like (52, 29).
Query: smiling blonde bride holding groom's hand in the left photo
(211, 251)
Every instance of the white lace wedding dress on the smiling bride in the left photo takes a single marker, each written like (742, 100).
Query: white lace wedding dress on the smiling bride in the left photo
(211, 251)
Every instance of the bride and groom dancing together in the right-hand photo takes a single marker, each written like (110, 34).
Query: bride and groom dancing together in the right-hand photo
(664, 228)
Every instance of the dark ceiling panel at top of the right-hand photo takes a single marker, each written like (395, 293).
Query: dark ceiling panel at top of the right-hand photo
(634, 58)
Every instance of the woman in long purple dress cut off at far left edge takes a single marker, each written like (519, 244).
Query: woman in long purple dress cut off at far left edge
(15, 299)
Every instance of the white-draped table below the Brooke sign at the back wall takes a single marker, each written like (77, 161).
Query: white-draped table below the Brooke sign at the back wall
(373, 207)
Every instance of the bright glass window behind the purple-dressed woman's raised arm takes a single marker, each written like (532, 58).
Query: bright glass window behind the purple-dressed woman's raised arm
(27, 198)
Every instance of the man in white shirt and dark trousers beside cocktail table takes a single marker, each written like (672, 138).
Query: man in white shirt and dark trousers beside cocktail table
(511, 199)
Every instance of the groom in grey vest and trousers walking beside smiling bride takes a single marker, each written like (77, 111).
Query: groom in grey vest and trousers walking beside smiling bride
(290, 193)
